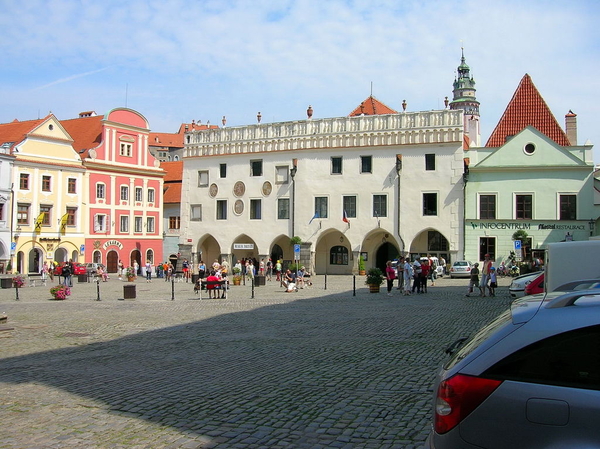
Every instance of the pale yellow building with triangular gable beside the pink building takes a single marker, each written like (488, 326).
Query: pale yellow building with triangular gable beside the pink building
(48, 184)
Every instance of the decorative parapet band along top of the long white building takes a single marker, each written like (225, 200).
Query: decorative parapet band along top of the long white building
(339, 132)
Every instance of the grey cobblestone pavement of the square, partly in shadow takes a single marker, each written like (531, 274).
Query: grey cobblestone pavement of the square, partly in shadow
(312, 369)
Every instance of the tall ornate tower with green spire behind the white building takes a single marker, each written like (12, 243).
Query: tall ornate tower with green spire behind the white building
(464, 98)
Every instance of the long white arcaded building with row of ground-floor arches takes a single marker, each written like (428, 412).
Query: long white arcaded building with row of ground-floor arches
(395, 177)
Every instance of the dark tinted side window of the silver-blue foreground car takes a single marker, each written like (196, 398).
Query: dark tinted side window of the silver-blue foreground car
(568, 359)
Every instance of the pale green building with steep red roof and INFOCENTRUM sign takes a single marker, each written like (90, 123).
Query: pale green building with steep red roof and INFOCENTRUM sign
(532, 179)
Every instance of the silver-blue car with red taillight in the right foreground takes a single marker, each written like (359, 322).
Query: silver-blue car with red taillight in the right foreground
(529, 379)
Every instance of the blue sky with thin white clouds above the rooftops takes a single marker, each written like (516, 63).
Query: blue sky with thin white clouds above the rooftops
(176, 61)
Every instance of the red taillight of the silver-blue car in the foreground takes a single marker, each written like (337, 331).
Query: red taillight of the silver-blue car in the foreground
(459, 396)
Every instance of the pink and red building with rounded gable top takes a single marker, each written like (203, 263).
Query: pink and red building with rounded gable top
(124, 210)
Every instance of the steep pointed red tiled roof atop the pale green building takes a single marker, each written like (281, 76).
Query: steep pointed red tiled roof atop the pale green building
(527, 108)
